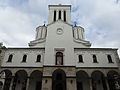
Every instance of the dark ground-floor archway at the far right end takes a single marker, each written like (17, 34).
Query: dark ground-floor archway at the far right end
(113, 80)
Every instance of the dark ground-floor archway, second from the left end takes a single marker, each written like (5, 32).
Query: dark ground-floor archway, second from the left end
(20, 80)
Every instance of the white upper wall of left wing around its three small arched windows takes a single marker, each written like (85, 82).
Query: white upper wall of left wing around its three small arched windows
(18, 55)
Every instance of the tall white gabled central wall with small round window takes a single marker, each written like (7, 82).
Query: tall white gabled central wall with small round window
(64, 42)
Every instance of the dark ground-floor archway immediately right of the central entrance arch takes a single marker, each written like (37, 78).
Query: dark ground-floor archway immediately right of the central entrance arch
(82, 81)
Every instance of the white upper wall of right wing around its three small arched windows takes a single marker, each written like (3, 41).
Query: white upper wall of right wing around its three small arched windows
(101, 55)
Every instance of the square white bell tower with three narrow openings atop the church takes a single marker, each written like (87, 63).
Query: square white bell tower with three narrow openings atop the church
(59, 12)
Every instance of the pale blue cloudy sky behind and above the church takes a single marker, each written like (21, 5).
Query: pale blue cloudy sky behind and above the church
(99, 18)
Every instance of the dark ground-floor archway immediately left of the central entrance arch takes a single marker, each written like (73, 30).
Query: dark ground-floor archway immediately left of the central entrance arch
(35, 80)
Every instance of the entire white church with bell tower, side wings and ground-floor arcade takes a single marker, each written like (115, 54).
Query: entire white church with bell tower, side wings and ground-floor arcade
(59, 59)
